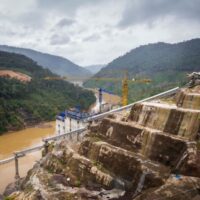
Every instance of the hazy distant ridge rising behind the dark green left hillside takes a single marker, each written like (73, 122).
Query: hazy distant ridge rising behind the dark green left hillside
(56, 64)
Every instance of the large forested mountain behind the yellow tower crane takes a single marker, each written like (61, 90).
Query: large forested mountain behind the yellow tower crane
(166, 64)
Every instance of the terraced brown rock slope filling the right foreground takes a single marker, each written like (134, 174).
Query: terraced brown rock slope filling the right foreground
(150, 154)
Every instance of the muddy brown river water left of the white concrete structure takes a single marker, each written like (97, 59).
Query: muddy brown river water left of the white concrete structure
(19, 140)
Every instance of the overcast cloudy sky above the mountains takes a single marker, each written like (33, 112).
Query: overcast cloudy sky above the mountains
(96, 31)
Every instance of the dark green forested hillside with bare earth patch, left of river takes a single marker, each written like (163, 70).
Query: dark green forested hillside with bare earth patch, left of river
(39, 100)
